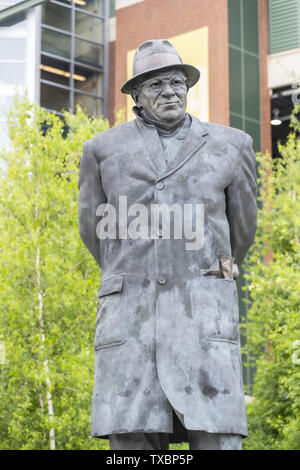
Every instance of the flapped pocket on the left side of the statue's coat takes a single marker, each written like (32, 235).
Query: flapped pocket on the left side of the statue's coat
(111, 312)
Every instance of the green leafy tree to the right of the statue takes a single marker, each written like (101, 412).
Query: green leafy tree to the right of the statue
(273, 331)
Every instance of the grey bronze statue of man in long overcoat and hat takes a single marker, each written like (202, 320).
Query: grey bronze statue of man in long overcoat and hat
(167, 207)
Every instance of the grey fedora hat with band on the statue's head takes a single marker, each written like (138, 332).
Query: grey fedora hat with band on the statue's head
(158, 55)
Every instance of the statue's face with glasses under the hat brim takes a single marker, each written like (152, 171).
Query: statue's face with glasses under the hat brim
(163, 96)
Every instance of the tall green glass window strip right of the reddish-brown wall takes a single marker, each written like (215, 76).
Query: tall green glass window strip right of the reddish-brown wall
(244, 107)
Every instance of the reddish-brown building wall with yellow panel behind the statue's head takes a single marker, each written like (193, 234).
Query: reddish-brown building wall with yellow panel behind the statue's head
(222, 36)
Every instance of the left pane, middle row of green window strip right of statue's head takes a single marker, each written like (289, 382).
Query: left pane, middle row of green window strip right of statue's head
(235, 67)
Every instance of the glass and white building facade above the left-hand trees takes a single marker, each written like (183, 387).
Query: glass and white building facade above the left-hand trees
(57, 52)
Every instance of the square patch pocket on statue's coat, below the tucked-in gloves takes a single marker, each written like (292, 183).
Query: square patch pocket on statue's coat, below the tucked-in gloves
(215, 308)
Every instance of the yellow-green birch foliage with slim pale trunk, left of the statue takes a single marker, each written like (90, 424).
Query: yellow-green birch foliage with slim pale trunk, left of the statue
(47, 282)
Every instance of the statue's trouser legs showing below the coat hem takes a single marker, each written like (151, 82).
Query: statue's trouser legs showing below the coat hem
(198, 440)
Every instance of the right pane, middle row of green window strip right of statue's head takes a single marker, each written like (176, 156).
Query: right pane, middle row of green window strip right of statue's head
(252, 87)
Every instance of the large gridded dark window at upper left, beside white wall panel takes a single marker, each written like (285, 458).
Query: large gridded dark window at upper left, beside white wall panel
(72, 55)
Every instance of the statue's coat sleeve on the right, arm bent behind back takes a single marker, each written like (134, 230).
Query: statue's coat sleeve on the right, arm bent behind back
(241, 204)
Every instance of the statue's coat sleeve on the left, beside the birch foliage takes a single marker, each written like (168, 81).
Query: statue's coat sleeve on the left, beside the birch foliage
(91, 195)
